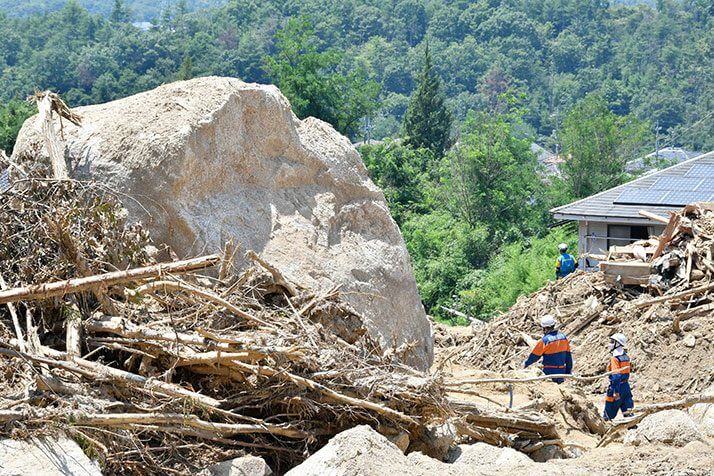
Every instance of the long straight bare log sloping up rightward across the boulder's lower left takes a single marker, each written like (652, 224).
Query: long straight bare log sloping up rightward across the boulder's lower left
(61, 288)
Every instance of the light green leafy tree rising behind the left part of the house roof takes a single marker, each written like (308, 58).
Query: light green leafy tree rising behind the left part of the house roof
(597, 144)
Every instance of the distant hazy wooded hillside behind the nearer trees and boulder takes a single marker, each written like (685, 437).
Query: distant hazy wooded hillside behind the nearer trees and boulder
(653, 62)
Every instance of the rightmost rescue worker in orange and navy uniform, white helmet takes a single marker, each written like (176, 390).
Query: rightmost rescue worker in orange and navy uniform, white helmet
(619, 396)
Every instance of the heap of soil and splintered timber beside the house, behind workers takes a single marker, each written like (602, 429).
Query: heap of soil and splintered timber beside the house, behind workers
(658, 292)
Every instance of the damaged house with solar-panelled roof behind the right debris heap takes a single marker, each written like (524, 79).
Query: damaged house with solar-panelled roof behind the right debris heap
(612, 217)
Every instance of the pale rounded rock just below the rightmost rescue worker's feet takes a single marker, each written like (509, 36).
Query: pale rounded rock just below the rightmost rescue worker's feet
(672, 427)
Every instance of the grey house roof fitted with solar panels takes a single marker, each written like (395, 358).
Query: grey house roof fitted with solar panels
(609, 206)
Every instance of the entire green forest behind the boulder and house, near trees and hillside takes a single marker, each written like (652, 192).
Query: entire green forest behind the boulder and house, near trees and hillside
(446, 96)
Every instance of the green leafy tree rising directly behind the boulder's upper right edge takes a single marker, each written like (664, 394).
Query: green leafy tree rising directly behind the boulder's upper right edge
(310, 78)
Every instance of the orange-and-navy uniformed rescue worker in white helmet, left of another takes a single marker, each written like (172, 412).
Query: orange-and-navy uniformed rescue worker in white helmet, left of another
(554, 348)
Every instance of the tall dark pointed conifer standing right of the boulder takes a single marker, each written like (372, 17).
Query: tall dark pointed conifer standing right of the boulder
(427, 122)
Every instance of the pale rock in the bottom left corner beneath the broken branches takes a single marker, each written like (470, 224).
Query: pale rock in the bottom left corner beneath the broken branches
(48, 456)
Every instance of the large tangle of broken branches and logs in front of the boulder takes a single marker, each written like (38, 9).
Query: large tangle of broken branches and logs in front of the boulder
(158, 367)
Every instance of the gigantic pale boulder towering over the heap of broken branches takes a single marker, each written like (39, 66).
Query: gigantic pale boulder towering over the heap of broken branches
(215, 158)
